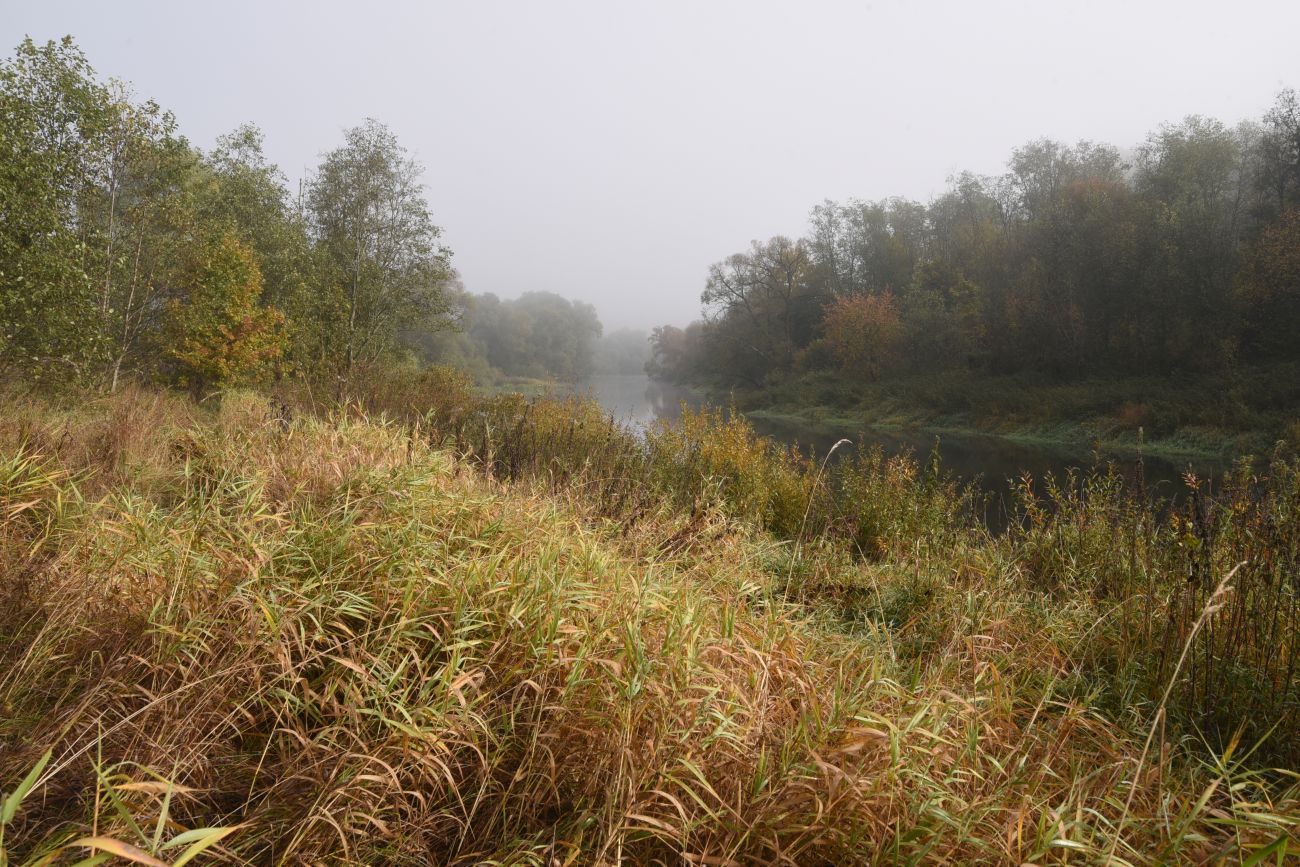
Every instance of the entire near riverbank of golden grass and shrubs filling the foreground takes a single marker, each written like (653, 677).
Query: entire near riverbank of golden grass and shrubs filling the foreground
(432, 627)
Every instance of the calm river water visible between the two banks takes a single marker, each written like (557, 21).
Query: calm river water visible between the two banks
(990, 463)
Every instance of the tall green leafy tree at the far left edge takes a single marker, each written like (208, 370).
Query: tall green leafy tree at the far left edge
(94, 197)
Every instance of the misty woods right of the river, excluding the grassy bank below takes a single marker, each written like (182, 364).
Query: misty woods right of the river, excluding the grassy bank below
(1077, 261)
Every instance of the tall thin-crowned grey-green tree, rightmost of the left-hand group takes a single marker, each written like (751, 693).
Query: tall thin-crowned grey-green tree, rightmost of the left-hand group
(383, 265)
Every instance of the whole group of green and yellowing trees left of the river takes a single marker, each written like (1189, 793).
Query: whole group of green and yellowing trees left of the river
(128, 253)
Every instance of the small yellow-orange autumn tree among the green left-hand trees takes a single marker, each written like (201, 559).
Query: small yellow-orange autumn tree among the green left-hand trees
(218, 333)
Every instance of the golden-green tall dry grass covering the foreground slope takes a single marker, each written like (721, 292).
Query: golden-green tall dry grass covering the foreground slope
(337, 644)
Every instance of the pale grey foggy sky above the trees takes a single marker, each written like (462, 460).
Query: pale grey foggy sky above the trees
(612, 151)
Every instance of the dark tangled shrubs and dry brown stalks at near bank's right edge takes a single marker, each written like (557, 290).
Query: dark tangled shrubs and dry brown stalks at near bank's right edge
(1151, 570)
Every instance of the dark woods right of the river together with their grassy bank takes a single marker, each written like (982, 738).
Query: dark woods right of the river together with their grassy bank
(1141, 297)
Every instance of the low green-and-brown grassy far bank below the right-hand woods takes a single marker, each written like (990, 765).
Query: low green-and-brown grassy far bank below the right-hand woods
(1203, 421)
